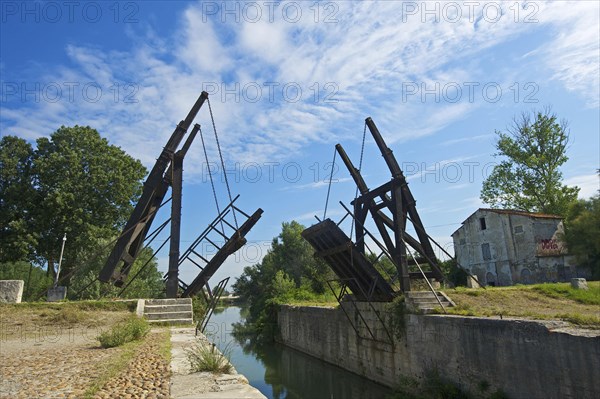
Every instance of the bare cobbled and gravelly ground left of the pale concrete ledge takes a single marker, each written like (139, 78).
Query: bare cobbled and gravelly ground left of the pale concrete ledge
(66, 362)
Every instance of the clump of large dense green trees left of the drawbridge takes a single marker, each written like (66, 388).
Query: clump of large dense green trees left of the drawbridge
(74, 182)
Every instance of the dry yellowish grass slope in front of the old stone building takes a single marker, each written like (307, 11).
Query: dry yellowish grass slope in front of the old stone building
(556, 301)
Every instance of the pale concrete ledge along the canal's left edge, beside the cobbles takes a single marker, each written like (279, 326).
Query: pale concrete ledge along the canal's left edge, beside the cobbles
(186, 384)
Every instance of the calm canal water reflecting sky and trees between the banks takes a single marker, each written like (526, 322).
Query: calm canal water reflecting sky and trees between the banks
(280, 372)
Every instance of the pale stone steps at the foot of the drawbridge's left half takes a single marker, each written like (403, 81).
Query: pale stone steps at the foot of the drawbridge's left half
(174, 311)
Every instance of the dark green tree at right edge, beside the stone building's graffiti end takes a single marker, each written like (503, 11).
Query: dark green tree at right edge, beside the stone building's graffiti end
(582, 233)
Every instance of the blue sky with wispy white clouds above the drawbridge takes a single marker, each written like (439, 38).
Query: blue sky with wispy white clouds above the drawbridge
(289, 80)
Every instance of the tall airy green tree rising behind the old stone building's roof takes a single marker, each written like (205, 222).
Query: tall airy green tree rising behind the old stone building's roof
(529, 179)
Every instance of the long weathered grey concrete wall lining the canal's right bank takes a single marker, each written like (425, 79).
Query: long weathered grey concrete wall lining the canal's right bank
(525, 359)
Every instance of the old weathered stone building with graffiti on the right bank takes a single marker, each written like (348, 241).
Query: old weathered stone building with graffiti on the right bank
(506, 247)
